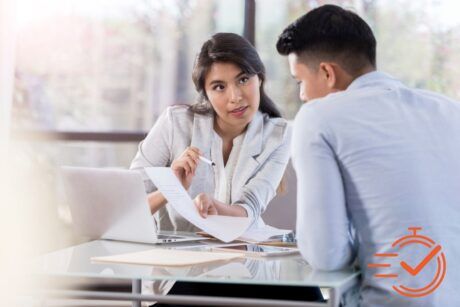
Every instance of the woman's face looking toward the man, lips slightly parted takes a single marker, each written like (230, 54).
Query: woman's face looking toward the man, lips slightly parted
(234, 95)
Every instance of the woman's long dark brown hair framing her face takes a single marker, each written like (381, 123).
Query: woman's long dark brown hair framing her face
(229, 48)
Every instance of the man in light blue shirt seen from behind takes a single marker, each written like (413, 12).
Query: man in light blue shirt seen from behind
(373, 157)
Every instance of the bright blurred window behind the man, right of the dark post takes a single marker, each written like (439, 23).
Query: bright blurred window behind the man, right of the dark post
(419, 44)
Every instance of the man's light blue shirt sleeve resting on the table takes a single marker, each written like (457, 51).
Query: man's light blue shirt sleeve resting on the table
(322, 221)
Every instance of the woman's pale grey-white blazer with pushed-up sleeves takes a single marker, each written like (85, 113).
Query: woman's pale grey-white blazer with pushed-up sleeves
(261, 164)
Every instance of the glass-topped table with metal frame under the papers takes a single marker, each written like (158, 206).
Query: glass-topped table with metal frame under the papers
(289, 270)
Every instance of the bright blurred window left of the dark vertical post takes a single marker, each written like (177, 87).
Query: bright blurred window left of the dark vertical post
(108, 65)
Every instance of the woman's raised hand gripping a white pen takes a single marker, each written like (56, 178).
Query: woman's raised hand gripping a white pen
(184, 167)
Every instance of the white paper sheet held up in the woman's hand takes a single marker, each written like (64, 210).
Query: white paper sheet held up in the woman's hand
(224, 228)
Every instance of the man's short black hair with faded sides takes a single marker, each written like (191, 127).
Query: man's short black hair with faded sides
(330, 33)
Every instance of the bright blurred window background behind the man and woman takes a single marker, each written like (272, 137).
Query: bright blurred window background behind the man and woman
(90, 77)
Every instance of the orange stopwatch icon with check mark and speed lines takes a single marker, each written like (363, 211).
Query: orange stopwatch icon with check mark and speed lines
(434, 254)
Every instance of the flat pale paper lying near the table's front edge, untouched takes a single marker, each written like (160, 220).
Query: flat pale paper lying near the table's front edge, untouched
(167, 257)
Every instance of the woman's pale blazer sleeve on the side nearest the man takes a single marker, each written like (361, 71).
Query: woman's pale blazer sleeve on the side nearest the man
(261, 188)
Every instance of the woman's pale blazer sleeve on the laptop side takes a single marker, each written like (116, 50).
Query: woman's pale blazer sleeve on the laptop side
(155, 149)
